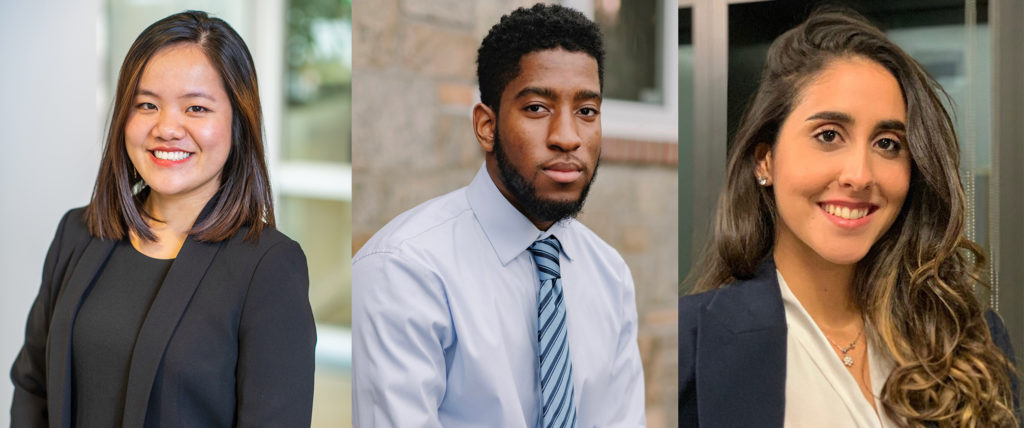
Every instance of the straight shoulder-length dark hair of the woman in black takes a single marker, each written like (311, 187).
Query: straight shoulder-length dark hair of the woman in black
(244, 197)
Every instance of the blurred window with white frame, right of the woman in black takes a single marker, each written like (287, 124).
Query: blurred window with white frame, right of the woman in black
(314, 183)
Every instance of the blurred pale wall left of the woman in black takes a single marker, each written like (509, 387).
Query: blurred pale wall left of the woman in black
(51, 138)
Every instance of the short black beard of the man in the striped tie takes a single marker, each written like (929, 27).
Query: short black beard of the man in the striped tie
(525, 193)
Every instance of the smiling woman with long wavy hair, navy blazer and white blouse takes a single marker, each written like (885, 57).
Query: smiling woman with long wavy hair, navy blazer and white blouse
(838, 290)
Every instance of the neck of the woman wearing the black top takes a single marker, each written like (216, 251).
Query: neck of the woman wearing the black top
(170, 220)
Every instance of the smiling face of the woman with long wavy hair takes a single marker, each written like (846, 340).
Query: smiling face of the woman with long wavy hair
(840, 168)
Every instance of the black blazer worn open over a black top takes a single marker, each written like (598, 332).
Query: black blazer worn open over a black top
(229, 340)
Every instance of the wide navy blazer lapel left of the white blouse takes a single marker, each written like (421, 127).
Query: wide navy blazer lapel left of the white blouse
(741, 355)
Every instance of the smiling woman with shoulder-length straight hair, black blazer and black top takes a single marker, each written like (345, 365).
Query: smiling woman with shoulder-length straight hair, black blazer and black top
(170, 299)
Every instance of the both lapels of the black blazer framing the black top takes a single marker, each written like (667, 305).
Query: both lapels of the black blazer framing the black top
(184, 278)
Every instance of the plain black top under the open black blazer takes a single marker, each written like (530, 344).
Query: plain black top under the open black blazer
(105, 334)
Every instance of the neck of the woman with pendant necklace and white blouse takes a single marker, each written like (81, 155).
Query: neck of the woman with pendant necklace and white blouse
(824, 289)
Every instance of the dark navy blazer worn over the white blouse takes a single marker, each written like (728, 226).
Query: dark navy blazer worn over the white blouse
(733, 354)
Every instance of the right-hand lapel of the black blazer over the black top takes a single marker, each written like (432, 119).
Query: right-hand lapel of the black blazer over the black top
(185, 277)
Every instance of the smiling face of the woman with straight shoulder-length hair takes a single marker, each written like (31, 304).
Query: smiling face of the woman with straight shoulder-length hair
(179, 134)
